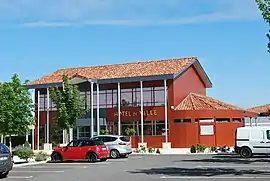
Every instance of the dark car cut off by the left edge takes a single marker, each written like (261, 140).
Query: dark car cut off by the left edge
(6, 161)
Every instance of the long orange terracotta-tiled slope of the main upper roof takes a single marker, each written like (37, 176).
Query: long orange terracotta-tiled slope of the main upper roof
(135, 69)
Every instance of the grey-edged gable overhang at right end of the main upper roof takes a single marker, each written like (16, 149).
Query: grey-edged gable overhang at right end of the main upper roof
(200, 72)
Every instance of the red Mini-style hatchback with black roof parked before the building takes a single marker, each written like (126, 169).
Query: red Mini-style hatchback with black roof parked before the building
(81, 149)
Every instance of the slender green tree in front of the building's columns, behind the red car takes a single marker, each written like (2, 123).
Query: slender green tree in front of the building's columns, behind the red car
(69, 103)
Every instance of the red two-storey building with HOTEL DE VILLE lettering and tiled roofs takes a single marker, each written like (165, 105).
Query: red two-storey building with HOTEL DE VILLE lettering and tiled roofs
(170, 93)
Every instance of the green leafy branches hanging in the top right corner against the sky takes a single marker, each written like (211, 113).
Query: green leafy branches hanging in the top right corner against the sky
(264, 7)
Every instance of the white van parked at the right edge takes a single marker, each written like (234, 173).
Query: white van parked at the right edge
(252, 140)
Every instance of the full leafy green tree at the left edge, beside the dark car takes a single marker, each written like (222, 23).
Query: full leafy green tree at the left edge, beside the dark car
(16, 108)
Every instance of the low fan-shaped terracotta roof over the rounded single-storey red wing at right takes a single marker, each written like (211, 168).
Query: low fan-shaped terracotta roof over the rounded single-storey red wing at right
(201, 102)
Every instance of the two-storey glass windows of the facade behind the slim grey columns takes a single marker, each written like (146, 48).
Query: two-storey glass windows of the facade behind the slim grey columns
(131, 97)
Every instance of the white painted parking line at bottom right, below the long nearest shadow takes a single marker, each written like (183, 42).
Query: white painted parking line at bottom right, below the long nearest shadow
(195, 177)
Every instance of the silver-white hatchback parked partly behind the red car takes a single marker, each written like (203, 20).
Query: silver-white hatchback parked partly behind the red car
(119, 146)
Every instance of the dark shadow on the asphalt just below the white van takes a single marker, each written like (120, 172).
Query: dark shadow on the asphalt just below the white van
(230, 159)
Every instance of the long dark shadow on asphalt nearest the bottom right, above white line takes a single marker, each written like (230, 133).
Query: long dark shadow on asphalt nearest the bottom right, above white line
(176, 171)
